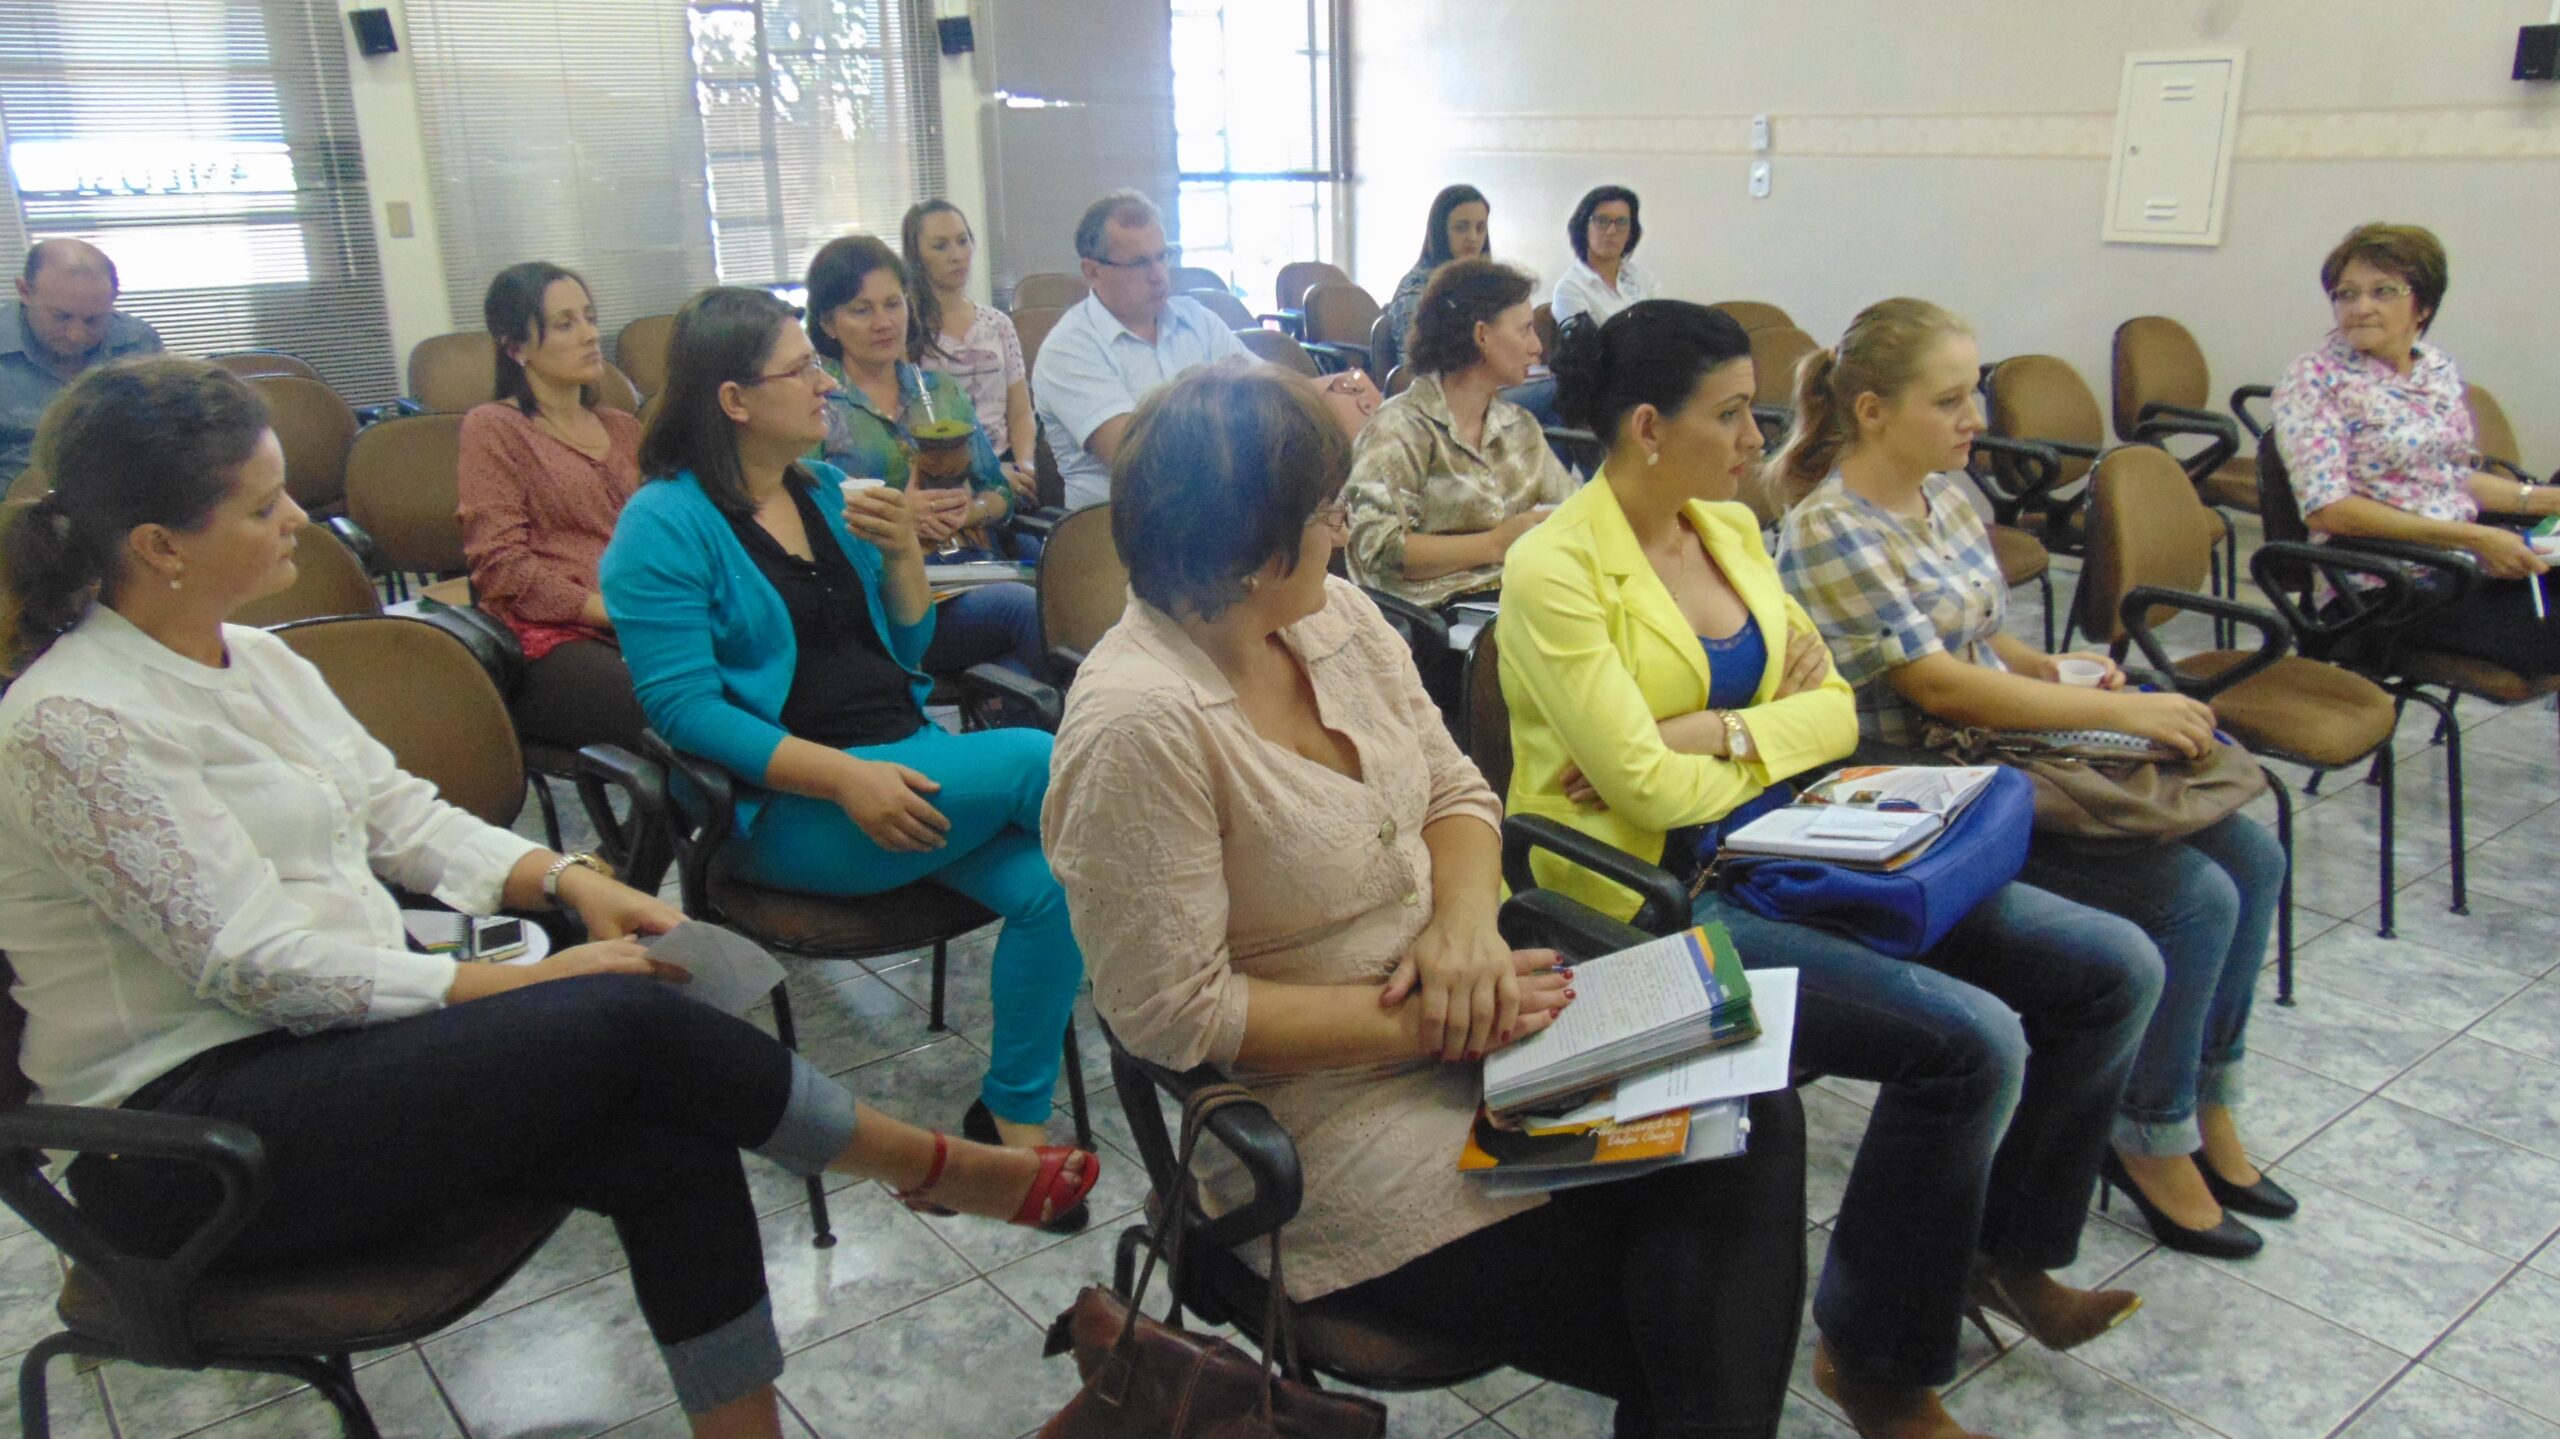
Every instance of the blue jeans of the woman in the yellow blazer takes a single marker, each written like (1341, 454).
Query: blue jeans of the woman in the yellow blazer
(2001, 1061)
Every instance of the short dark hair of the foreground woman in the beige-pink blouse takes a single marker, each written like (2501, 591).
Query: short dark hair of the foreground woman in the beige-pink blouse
(1217, 475)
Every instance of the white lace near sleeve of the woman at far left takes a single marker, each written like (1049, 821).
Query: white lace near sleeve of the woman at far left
(129, 821)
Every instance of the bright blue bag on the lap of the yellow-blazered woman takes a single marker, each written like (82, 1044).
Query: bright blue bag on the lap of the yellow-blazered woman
(1898, 913)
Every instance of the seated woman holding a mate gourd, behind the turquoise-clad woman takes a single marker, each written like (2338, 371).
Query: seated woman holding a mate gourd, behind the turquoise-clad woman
(918, 431)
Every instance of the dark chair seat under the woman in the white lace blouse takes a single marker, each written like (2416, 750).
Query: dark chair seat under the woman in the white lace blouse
(360, 1305)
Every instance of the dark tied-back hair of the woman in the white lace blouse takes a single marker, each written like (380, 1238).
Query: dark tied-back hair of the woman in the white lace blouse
(140, 442)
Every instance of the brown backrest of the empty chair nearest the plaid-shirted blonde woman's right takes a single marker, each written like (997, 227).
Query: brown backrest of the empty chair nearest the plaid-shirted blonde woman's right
(2147, 526)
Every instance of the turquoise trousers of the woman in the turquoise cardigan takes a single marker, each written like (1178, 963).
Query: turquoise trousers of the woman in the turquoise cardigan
(992, 792)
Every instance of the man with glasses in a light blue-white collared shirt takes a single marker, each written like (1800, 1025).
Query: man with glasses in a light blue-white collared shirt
(1120, 344)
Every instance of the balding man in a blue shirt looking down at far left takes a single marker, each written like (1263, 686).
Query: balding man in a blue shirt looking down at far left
(63, 324)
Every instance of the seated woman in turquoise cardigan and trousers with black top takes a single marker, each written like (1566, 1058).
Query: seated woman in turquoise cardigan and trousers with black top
(777, 626)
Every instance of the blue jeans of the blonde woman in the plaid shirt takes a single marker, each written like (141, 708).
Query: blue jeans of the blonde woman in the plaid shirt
(2208, 903)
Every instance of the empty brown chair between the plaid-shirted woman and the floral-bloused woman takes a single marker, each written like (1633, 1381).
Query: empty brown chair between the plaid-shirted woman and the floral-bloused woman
(2152, 536)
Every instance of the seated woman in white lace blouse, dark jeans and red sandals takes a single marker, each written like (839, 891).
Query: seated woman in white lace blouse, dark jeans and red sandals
(191, 839)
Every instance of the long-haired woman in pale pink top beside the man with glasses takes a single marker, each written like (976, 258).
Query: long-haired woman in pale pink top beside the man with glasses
(969, 342)
